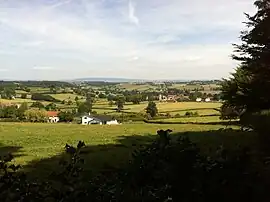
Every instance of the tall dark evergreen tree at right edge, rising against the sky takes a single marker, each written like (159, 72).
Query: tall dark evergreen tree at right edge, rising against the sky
(248, 86)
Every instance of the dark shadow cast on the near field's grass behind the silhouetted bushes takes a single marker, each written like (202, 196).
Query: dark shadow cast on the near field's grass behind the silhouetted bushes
(106, 158)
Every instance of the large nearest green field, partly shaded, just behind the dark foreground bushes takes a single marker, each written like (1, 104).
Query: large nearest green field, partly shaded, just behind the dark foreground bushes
(41, 145)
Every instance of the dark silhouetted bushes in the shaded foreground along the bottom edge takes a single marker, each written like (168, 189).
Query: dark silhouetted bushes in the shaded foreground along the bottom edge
(168, 169)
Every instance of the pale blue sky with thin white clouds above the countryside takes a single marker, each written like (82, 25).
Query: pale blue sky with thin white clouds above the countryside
(139, 39)
